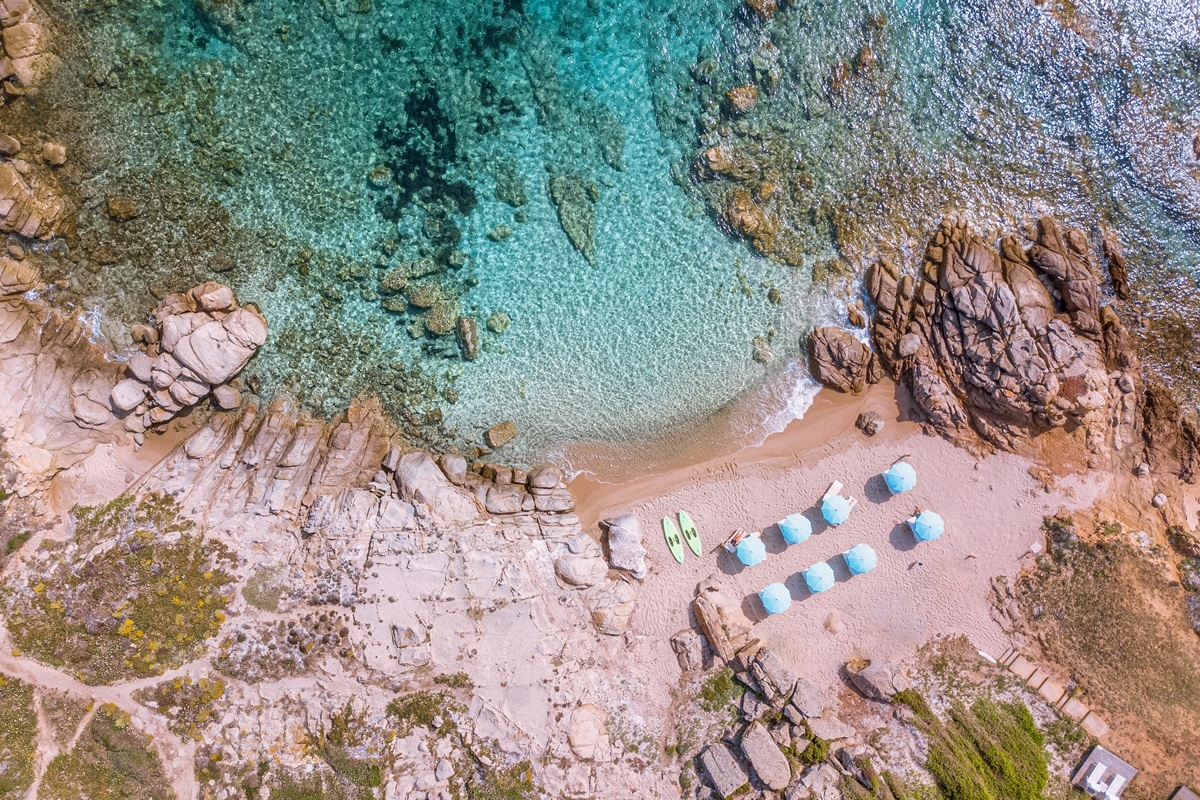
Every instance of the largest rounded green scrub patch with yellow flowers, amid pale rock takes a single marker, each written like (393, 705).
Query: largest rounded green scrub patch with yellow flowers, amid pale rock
(134, 594)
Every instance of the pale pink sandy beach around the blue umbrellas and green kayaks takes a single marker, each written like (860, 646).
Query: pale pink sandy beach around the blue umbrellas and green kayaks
(993, 510)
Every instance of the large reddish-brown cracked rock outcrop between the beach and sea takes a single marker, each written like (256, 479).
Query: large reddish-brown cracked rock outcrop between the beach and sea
(998, 345)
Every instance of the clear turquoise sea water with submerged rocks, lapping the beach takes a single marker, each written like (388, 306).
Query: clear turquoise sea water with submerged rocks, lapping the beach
(303, 151)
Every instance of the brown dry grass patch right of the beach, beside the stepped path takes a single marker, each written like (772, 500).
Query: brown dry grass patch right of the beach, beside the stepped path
(1109, 617)
